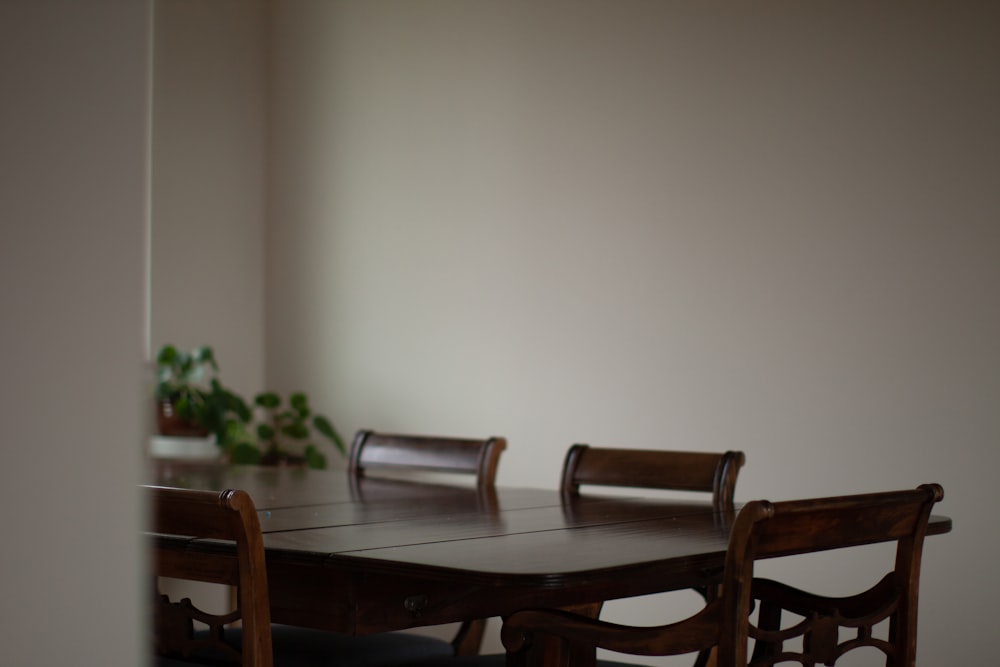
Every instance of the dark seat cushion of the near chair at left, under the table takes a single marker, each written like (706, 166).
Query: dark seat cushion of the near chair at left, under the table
(302, 647)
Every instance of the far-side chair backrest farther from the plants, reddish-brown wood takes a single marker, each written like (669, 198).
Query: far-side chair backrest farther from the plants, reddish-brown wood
(653, 469)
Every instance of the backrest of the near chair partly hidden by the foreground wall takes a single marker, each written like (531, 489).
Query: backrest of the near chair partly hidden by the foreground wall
(229, 515)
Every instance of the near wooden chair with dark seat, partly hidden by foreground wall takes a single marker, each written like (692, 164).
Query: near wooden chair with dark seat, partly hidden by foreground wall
(255, 641)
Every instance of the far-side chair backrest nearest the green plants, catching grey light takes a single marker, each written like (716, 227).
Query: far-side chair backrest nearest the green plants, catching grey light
(372, 452)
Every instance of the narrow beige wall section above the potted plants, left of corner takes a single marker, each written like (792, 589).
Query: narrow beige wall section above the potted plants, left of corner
(208, 171)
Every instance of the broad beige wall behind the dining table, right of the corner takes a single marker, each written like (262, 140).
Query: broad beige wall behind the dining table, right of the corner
(768, 227)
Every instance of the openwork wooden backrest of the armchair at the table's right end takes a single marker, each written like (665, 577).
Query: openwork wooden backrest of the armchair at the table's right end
(767, 530)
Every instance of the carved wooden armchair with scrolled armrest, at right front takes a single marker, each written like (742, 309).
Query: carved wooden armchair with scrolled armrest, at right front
(766, 530)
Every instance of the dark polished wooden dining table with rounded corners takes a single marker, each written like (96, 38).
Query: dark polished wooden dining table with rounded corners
(374, 555)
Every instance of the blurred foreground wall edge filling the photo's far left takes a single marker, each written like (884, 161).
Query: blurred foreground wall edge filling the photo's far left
(73, 214)
